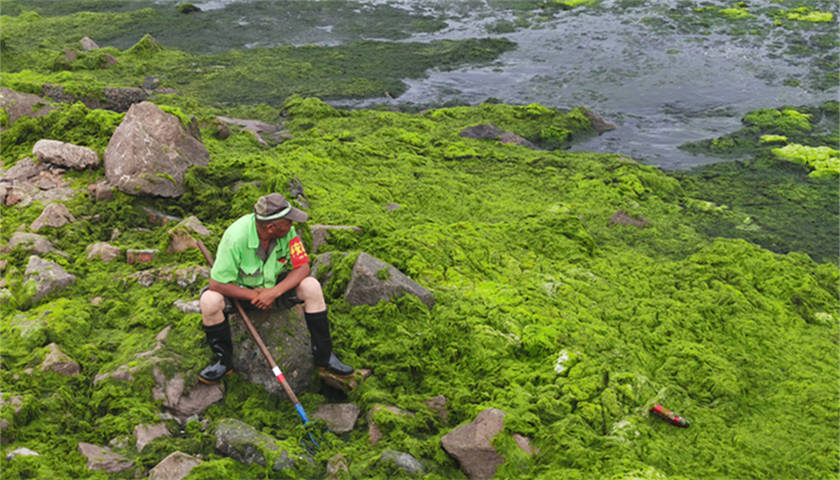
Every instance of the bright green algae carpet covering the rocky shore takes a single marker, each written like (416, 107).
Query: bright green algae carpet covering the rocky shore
(570, 325)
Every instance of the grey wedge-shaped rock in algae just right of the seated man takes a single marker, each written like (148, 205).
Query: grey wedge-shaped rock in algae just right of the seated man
(373, 280)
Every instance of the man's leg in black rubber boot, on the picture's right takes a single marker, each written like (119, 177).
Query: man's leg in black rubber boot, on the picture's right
(315, 314)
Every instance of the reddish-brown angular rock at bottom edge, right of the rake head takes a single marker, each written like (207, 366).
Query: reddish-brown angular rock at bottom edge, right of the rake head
(471, 445)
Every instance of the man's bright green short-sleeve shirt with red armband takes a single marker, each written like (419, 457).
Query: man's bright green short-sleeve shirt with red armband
(238, 260)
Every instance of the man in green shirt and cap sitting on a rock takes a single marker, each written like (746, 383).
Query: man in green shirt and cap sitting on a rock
(261, 260)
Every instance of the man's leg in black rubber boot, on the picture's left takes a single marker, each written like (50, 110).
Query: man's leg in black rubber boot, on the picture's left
(217, 329)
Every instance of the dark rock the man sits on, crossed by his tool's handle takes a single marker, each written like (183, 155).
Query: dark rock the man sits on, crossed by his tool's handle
(286, 337)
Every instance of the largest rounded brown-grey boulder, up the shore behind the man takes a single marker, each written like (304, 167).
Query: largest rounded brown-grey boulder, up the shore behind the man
(150, 152)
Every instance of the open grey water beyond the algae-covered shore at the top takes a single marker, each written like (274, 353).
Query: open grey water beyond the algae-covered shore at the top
(661, 72)
